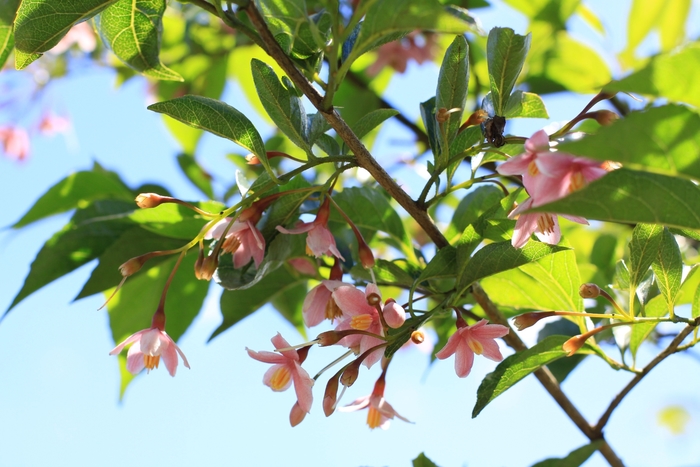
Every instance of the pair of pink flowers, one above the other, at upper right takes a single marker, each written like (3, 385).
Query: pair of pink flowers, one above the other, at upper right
(547, 176)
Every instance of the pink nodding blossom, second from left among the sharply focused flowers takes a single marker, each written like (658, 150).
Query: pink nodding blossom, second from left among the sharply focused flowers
(243, 239)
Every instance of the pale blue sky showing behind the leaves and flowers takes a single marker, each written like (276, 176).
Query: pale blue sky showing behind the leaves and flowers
(59, 388)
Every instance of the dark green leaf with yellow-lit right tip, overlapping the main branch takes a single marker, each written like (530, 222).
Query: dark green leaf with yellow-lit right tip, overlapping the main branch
(497, 257)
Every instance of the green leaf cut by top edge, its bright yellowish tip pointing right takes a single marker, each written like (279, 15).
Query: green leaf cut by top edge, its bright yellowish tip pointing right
(389, 19)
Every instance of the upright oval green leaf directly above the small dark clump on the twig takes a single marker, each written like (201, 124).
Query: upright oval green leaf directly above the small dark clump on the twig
(506, 52)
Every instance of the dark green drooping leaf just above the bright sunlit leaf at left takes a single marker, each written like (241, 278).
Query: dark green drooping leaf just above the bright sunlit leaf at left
(133, 242)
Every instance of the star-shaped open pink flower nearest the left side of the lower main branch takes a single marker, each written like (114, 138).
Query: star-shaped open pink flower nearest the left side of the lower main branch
(469, 340)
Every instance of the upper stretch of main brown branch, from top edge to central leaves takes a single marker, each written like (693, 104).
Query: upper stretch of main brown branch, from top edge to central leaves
(363, 156)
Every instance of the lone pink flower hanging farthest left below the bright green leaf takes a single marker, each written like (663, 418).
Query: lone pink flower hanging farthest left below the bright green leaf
(147, 347)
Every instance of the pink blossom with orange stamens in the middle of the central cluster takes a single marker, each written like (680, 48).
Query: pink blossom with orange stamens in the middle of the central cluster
(359, 315)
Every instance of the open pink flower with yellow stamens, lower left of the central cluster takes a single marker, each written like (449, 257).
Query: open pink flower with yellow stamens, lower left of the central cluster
(286, 369)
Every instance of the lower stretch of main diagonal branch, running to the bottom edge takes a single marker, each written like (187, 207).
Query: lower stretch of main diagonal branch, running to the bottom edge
(546, 378)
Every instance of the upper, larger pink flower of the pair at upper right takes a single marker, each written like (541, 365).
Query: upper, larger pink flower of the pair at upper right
(548, 175)
